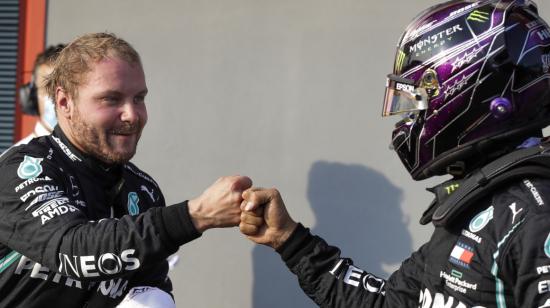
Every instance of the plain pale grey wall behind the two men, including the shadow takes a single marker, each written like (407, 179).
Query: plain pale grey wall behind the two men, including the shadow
(288, 92)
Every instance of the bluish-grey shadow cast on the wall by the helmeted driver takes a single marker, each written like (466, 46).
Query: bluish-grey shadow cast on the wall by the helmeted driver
(357, 209)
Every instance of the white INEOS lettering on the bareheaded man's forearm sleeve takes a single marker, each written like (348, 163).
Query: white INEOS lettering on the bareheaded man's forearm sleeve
(106, 264)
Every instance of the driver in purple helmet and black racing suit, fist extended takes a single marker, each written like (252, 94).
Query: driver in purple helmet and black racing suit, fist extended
(471, 82)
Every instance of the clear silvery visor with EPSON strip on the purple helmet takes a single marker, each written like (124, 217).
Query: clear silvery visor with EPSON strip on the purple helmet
(402, 96)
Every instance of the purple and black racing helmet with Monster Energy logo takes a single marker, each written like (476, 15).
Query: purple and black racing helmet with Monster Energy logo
(471, 80)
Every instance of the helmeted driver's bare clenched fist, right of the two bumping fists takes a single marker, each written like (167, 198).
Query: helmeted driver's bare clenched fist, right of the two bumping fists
(264, 218)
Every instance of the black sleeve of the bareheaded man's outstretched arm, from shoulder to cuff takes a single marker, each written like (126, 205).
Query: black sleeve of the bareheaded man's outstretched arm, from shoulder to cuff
(42, 222)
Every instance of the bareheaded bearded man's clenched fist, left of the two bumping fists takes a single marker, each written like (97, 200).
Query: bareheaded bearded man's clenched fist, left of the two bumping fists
(219, 204)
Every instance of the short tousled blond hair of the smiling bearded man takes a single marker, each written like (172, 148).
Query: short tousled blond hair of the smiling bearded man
(76, 59)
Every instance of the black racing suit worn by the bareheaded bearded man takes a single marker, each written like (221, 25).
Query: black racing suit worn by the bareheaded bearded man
(76, 233)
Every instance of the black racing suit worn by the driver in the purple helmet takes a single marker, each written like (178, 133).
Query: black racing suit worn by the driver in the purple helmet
(496, 254)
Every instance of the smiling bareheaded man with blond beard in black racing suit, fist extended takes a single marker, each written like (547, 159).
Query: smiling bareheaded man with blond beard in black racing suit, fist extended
(81, 225)
